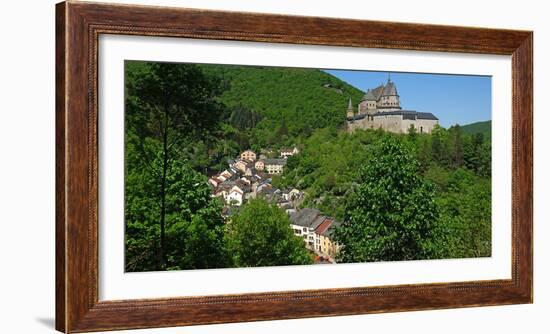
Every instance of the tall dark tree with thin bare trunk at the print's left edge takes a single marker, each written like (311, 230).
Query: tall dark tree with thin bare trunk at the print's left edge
(168, 107)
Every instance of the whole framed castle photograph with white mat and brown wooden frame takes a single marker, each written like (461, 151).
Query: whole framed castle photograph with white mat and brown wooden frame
(221, 167)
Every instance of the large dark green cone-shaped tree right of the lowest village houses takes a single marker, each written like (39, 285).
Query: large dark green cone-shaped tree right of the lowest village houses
(392, 214)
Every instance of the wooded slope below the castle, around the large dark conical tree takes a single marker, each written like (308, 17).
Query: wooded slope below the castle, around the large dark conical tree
(329, 167)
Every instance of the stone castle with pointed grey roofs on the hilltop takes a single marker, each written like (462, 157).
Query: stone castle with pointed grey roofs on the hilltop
(380, 109)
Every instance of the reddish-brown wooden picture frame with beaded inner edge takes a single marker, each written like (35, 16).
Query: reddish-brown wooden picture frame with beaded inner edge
(78, 26)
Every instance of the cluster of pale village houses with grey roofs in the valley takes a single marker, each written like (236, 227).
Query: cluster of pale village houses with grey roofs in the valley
(249, 176)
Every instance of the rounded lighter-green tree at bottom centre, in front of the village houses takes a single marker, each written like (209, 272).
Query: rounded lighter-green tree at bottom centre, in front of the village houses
(260, 235)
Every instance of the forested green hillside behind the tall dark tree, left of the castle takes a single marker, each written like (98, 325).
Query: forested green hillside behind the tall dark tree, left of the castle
(264, 107)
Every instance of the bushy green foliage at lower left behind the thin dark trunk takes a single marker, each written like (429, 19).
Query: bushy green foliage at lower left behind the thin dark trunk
(194, 226)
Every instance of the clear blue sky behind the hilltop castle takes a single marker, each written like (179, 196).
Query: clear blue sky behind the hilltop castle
(454, 99)
